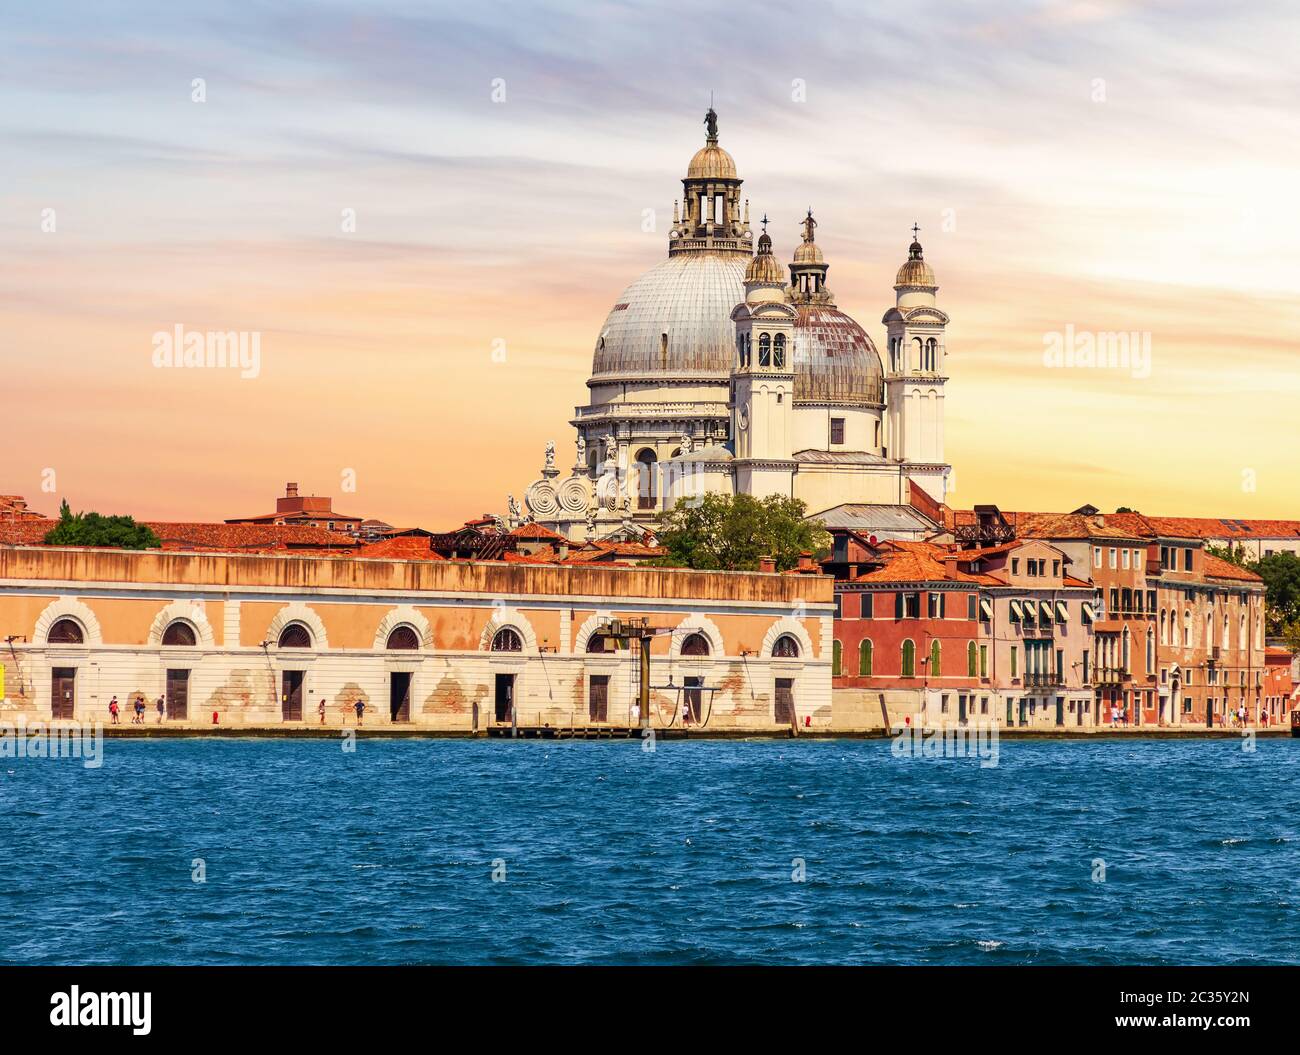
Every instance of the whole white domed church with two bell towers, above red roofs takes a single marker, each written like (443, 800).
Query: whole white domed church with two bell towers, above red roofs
(723, 371)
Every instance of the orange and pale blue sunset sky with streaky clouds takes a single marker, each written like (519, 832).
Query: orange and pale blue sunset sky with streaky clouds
(1111, 167)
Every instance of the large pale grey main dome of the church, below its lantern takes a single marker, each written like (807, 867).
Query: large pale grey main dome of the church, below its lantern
(675, 320)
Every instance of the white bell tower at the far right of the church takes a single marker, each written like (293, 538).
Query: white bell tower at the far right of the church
(916, 375)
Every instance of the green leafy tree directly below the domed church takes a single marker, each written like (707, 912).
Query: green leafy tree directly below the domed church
(733, 532)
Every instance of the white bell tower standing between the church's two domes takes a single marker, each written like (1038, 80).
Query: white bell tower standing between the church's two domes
(762, 403)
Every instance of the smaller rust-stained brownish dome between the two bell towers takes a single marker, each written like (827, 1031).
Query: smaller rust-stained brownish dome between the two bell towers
(834, 359)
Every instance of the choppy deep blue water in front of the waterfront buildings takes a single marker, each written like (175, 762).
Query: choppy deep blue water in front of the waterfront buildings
(683, 856)
